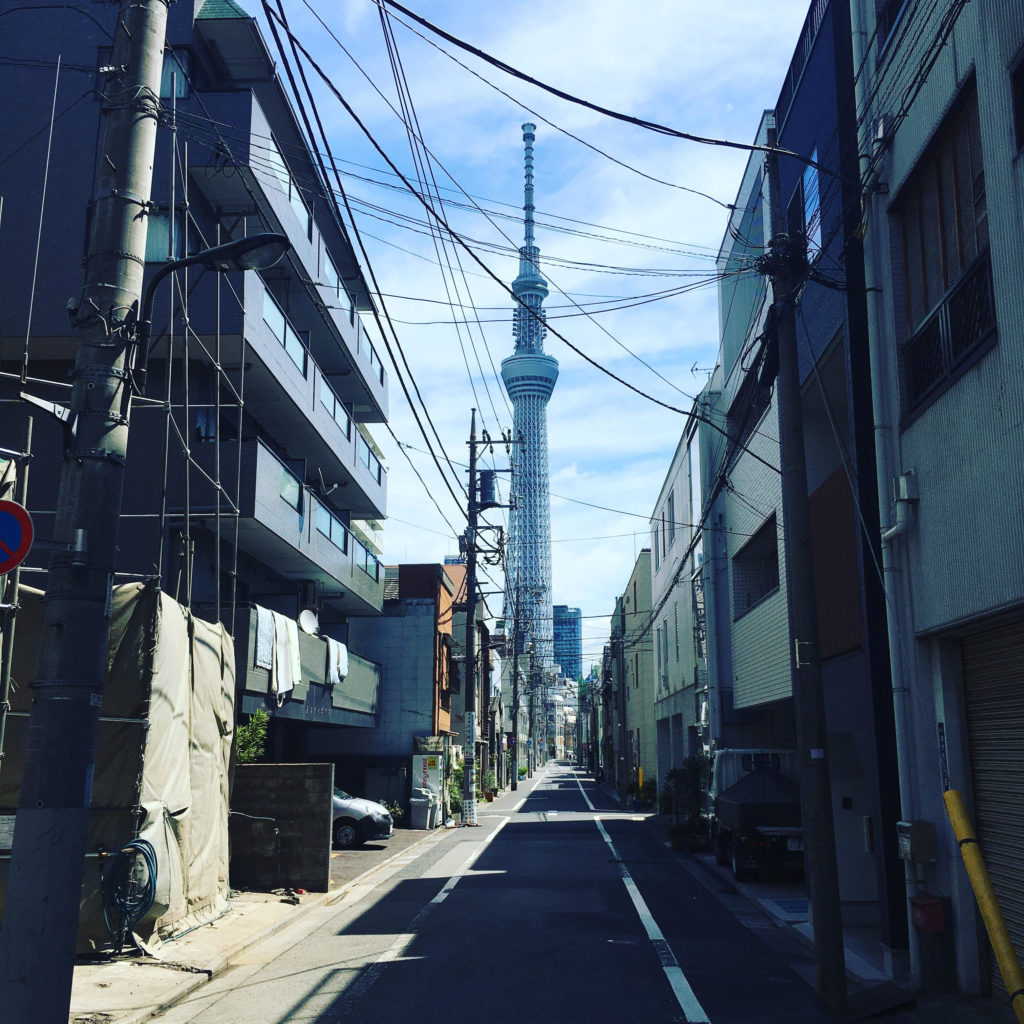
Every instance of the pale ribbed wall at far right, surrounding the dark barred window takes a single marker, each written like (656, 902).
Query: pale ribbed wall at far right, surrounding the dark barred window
(959, 566)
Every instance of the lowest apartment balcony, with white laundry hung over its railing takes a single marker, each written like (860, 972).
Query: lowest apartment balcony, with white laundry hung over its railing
(355, 702)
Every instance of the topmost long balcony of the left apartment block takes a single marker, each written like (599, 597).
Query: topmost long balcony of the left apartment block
(319, 295)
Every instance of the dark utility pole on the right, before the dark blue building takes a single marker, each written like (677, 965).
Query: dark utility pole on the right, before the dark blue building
(785, 265)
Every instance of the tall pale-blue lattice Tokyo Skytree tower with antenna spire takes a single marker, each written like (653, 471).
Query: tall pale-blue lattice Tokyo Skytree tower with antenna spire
(530, 378)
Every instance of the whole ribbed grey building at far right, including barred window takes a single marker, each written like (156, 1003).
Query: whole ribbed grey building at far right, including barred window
(941, 110)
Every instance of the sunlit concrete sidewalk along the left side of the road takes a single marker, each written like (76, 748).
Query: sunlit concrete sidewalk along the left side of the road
(131, 990)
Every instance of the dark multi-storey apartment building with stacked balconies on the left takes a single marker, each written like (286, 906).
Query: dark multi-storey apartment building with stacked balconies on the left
(252, 477)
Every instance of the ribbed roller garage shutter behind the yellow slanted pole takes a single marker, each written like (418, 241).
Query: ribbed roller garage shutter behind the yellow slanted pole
(994, 685)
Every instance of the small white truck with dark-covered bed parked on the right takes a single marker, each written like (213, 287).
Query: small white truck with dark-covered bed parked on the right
(753, 812)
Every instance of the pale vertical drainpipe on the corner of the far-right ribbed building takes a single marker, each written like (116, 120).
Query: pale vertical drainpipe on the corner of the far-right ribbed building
(884, 472)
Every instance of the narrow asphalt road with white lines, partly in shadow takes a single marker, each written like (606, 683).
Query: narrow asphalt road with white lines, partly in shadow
(561, 909)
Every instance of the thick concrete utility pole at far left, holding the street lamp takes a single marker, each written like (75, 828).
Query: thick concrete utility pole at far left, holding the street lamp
(40, 923)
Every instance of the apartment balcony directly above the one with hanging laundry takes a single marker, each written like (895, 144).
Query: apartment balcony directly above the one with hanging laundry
(281, 524)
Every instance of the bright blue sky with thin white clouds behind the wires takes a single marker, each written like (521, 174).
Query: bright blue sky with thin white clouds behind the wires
(607, 234)
